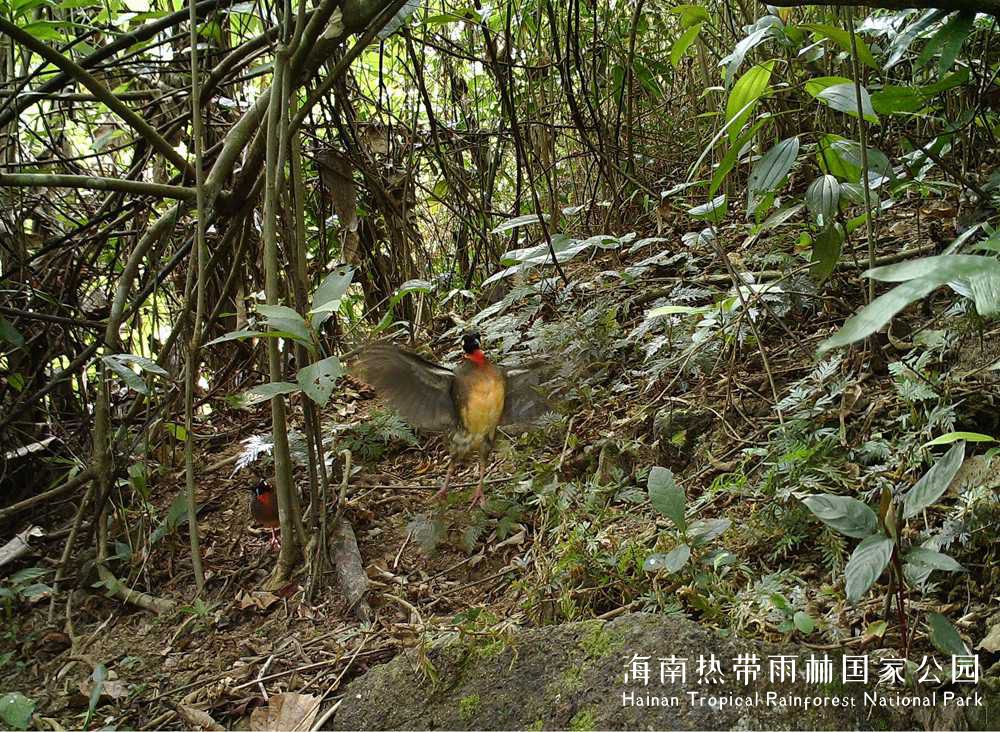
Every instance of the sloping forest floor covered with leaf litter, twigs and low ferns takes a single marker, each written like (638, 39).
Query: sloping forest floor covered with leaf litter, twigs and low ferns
(564, 534)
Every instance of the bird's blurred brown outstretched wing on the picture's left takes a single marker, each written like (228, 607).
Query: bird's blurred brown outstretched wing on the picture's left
(415, 387)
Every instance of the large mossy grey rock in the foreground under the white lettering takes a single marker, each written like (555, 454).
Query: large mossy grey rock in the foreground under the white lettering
(574, 677)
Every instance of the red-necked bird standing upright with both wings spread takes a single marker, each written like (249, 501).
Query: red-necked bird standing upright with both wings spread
(469, 402)
